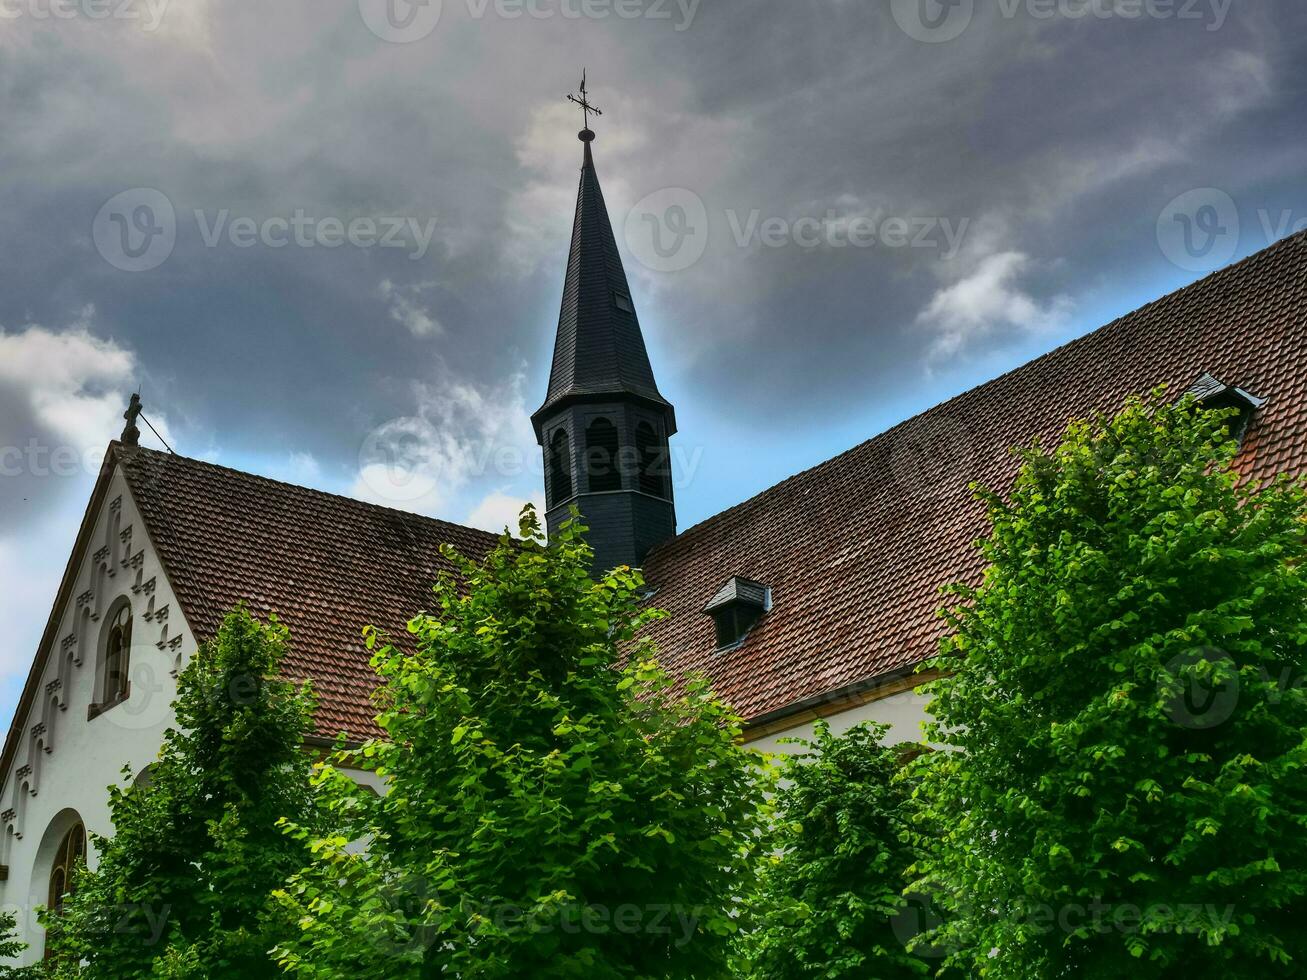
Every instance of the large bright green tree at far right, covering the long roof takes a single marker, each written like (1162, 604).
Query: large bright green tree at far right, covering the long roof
(1130, 795)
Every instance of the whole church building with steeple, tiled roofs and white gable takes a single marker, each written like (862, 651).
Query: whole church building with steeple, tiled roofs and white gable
(815, 599)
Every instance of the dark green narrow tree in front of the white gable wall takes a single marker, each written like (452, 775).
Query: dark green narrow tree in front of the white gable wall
(184, 888)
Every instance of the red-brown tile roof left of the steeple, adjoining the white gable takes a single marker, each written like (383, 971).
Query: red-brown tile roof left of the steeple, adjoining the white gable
(326, 565)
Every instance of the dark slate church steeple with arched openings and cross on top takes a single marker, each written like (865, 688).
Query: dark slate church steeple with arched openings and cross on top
(604, 425)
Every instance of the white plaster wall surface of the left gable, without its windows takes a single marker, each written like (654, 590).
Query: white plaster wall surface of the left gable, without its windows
(71, 781)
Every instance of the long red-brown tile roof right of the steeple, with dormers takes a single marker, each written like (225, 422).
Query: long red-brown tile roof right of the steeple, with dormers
(857, 549)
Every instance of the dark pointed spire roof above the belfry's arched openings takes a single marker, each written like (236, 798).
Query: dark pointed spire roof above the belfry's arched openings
(599, 350)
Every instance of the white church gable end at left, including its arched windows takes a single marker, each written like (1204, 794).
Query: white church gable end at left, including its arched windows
(99, 696)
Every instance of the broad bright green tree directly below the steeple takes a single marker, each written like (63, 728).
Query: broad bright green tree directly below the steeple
(554, 808)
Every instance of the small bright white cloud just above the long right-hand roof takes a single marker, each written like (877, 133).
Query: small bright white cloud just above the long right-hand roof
(986, 300)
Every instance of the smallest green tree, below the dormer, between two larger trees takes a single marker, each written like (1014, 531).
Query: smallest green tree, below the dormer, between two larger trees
(831, 900)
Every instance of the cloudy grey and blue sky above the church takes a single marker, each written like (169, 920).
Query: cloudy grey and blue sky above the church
(327, 237)
